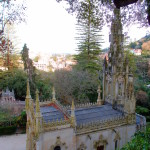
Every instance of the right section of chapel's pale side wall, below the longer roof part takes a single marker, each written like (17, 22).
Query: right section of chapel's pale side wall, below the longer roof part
(106, 137)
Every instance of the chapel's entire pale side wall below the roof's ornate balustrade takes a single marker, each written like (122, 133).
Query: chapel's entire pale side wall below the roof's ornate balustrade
(68, 140)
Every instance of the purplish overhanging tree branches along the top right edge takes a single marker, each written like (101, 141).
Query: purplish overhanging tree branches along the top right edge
(132, 11)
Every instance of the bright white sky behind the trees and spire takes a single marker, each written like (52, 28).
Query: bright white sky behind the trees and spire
(50, 29)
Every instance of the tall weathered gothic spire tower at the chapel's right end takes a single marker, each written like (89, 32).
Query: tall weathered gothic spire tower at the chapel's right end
(117, 79)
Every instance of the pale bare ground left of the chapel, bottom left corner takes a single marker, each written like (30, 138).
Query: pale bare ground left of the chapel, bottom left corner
(13, 142)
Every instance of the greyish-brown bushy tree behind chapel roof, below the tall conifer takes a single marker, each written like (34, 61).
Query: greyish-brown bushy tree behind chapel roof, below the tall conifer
(75, 84)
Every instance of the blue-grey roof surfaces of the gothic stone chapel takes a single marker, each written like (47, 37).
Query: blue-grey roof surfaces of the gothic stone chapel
(85, 115)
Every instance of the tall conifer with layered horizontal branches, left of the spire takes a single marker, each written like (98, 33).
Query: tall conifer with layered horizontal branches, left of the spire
(88, 36)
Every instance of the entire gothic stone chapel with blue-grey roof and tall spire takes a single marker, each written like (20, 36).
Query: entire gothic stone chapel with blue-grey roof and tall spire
(107, 124)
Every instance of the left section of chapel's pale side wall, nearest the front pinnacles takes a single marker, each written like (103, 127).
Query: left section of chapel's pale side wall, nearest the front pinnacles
(65, 138)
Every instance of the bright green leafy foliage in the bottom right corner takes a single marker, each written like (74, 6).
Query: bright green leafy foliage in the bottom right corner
(140, 141)
